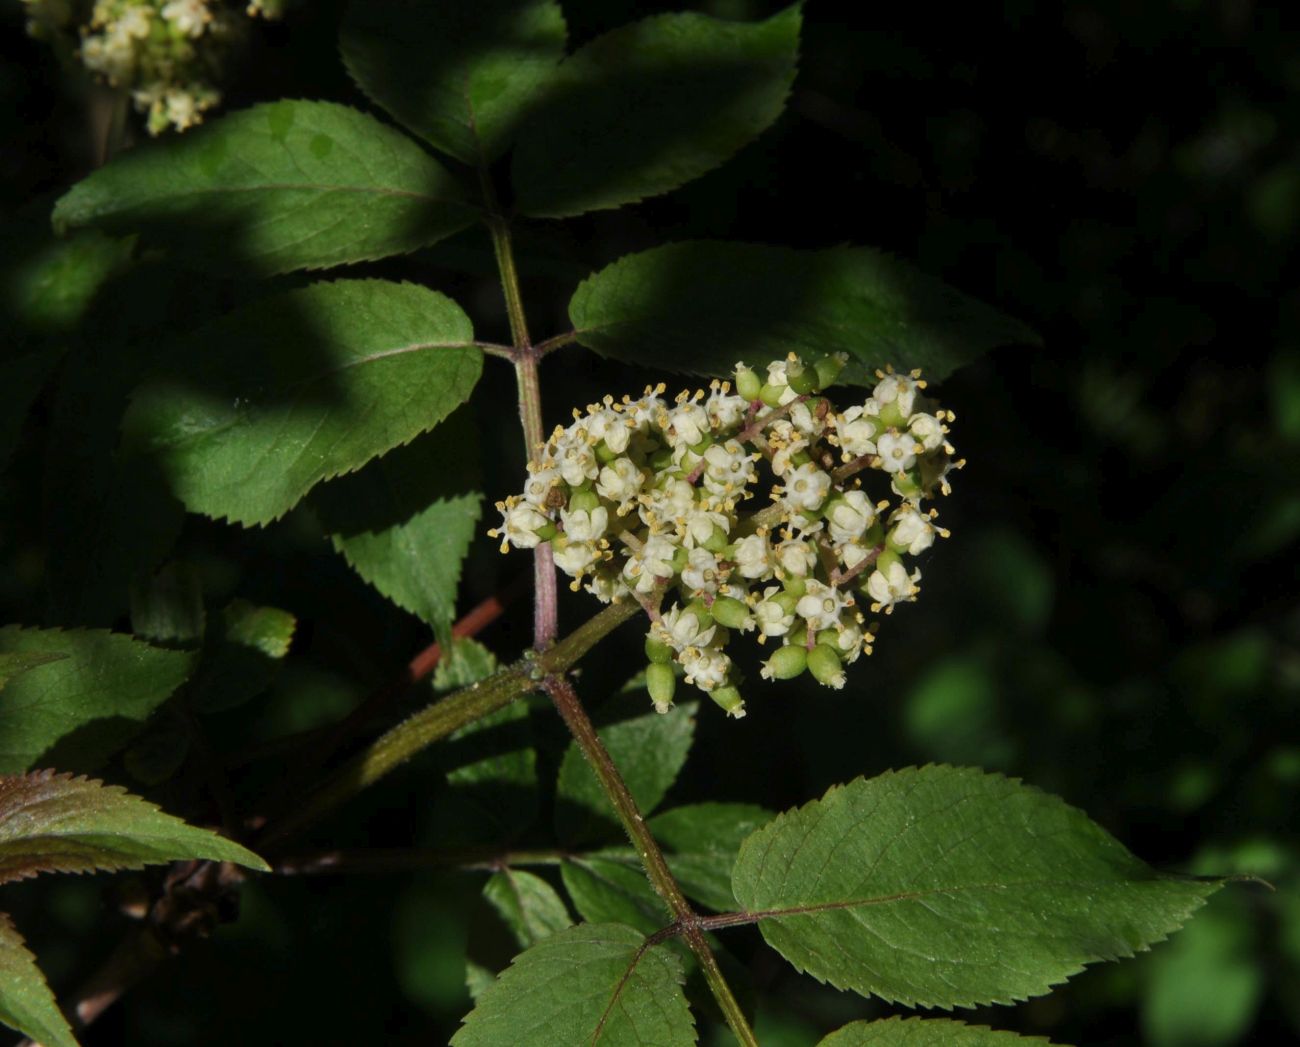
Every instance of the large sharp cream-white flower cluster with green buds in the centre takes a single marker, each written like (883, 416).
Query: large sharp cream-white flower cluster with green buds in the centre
(644, 497)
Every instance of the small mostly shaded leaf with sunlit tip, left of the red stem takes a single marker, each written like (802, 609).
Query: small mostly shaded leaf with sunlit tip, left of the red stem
(245, 656)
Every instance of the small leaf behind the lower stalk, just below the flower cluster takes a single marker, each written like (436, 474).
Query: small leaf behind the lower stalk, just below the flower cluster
(649, 751)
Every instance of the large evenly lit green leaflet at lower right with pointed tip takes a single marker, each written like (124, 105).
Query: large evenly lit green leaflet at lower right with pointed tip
(951, 888)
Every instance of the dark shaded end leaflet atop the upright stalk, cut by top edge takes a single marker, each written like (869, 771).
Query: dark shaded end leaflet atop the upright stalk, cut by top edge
(460, 75)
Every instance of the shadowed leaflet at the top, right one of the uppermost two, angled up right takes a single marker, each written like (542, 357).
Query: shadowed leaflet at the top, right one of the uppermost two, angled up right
(651, 107)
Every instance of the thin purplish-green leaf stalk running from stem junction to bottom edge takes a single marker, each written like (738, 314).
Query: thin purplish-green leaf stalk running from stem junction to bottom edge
(652, 858)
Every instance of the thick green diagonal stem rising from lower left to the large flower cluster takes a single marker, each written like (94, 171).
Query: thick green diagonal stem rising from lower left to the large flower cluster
(449, 715)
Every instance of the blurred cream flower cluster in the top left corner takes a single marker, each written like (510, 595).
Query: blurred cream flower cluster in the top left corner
(167, 54)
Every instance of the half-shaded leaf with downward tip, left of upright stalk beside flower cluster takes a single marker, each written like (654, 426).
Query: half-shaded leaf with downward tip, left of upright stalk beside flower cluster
(406, 521)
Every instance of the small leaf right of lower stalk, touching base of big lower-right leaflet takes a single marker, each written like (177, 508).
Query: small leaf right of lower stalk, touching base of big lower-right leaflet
(701, 842)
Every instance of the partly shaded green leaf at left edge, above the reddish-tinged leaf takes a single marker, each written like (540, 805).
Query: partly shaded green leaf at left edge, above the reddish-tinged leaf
(93, 700)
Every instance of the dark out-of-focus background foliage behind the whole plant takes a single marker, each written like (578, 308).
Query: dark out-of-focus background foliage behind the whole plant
(1115, 618)
